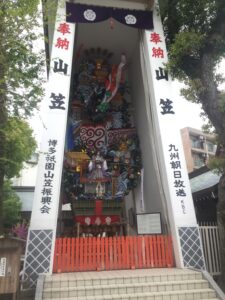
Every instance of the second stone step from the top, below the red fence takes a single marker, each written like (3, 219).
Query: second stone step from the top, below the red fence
(57, 292)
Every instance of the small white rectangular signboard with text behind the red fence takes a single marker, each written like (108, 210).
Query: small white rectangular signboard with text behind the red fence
(149, 223)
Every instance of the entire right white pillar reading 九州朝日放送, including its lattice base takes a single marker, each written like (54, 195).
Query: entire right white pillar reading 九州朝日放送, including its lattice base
(170, 150)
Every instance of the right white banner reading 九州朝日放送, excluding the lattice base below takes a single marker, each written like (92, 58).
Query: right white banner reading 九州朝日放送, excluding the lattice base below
(167, 122)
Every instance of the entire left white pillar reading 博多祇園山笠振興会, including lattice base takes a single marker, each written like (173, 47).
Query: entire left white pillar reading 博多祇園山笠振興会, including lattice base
(41, 239)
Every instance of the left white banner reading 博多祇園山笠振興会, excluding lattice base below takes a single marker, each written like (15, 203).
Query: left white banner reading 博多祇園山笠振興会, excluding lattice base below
(48, 183)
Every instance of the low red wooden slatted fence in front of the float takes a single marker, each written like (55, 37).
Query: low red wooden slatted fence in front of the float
(113, 253)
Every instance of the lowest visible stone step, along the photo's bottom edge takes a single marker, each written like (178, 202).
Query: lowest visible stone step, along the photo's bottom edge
(167, 295)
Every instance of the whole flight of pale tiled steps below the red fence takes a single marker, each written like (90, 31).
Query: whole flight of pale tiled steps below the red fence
(143, 284)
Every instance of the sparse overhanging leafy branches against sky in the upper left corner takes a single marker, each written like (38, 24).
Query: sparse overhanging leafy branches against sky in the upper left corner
(21, 64)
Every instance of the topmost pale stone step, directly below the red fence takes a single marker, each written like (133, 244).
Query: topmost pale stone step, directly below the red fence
(116, 277)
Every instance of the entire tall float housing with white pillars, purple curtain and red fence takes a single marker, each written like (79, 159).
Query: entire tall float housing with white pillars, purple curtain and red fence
(112, 148)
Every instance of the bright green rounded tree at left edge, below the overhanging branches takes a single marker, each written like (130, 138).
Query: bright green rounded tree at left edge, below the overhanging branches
(19, 145)
